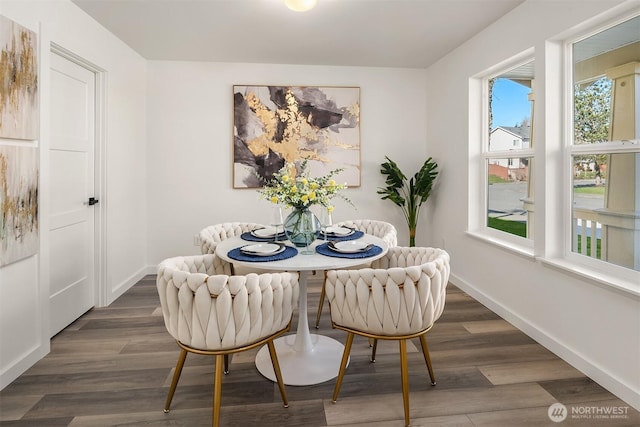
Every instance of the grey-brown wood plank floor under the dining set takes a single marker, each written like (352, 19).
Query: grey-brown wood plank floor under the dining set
(113, 366)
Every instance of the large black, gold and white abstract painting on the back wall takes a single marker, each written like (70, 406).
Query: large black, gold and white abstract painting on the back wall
(274, 125)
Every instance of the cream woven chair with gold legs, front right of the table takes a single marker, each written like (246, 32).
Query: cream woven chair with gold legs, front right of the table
(399, 298)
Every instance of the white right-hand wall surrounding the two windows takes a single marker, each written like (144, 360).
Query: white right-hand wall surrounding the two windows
(593, 326)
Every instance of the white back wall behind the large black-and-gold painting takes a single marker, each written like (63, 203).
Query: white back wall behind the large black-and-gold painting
(190, 120)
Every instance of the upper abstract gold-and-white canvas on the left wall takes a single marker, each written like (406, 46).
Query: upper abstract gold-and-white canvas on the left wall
(19, 117)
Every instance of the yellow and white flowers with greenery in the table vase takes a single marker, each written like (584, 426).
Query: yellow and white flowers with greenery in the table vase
(294, 188)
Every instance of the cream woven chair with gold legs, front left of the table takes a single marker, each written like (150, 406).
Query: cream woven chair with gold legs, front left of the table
(216, 314)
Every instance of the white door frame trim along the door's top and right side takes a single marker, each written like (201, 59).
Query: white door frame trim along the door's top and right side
(100, 170)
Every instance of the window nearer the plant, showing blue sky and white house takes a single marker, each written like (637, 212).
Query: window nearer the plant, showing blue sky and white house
(508, 153)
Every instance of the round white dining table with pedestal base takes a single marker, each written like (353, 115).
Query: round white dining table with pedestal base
(304, 358)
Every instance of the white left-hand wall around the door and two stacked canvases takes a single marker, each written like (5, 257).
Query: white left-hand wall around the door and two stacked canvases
(24, 285)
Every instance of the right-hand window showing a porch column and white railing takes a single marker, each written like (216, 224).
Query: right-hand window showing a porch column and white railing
(604, 147)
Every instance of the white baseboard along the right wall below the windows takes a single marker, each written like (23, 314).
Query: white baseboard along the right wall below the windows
(575, 359)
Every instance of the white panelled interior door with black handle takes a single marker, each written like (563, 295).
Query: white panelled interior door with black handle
(71, 154)
